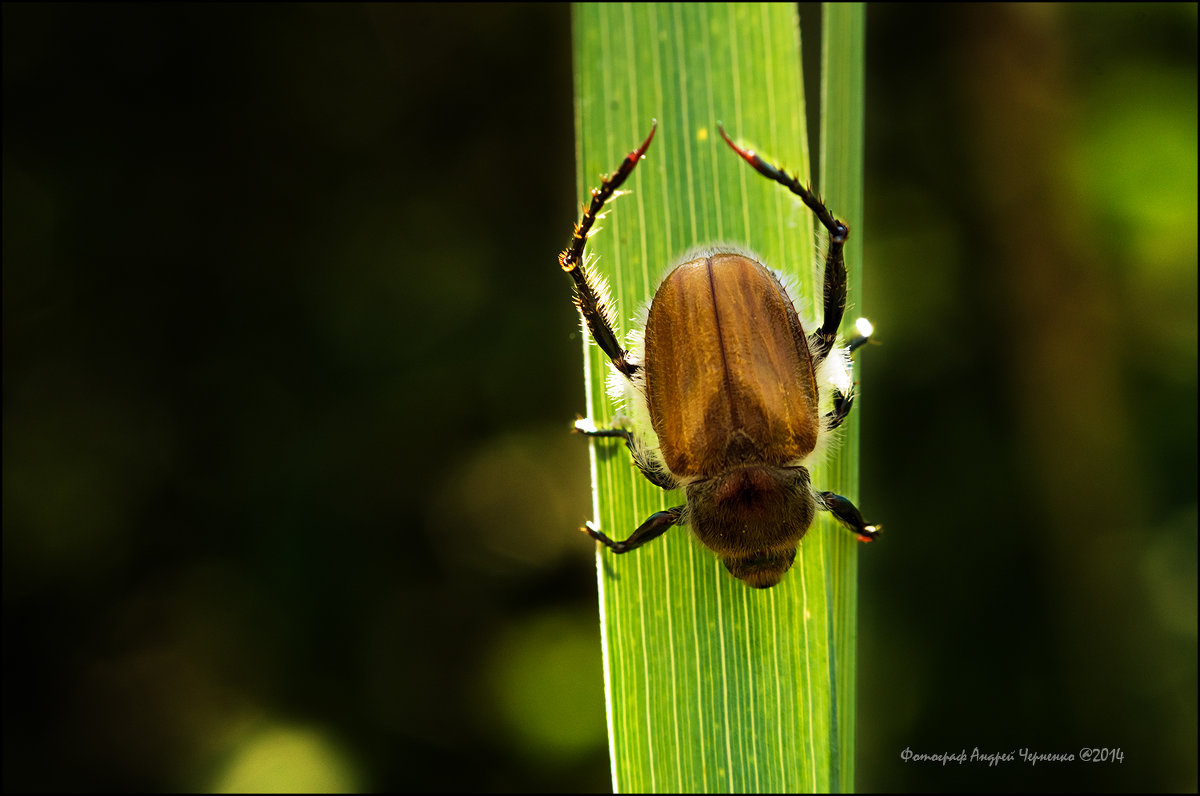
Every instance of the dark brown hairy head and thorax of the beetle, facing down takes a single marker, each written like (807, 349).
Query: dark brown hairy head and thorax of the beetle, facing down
(754, 519)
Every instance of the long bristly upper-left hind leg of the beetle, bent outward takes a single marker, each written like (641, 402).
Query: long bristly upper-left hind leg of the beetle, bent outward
(591, 291)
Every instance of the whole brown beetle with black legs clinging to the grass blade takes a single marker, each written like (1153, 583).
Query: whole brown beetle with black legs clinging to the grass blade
(731, 387)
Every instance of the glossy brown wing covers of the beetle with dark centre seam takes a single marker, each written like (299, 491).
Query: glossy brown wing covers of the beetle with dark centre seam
(729, 374)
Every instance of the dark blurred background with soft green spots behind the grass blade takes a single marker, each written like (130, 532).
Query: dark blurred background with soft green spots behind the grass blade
(289, 369)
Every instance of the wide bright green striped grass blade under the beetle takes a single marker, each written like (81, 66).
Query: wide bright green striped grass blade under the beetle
(712, 686)
